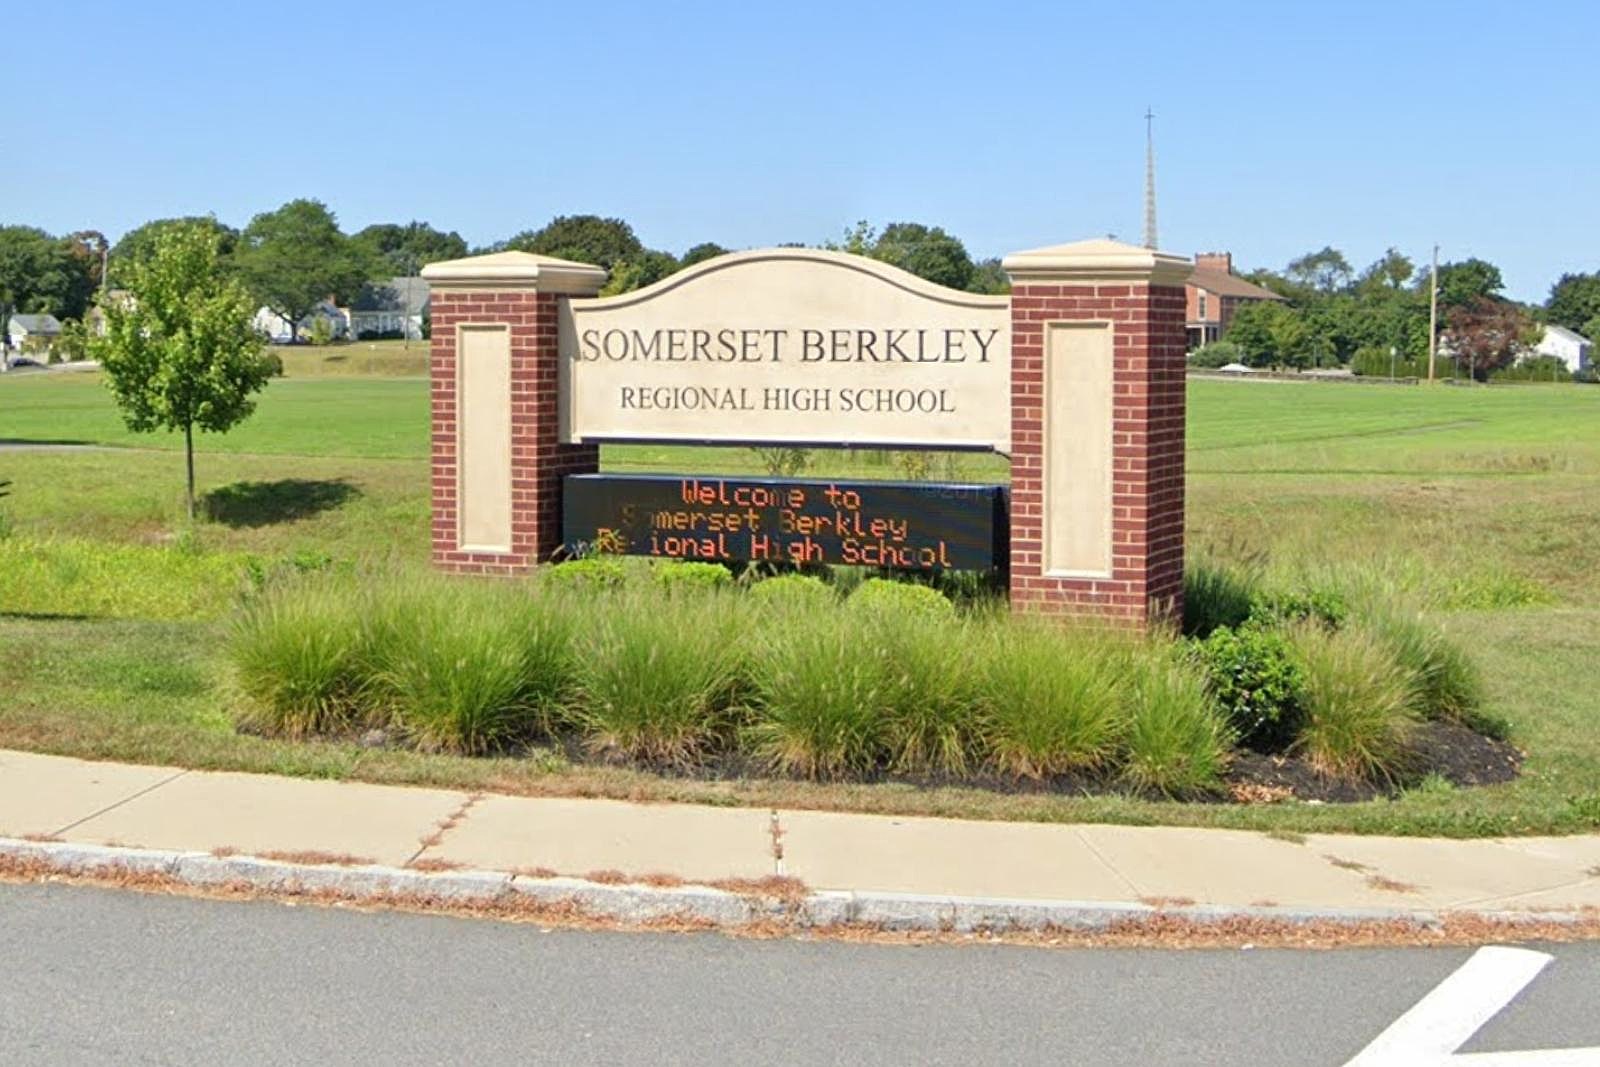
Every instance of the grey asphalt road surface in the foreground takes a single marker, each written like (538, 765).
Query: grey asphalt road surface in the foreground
(97, 977)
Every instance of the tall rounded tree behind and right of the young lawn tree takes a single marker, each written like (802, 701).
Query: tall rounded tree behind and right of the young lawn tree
(295, 258)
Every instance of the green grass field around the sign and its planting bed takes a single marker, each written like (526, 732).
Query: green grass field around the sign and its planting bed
(1482, 506)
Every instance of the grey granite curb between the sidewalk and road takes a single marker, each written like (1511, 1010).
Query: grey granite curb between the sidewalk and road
(703, 906)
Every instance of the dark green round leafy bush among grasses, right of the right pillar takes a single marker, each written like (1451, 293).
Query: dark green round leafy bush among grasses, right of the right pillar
(1258, 684)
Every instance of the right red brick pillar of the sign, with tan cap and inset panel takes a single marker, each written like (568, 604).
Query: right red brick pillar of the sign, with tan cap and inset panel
(1098, 431)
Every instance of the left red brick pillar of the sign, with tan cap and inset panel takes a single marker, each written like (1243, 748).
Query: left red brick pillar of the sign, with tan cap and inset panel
(495, 375)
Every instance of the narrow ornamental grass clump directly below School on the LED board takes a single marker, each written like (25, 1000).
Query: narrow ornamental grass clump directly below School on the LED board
(930, 701)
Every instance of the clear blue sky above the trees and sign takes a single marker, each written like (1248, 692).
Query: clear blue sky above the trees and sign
(1281, 129)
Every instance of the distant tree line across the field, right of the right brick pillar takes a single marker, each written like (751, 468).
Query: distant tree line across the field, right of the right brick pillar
(1377, 321)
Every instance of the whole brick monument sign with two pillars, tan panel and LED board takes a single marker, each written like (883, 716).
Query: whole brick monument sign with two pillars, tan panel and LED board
(1078, 377)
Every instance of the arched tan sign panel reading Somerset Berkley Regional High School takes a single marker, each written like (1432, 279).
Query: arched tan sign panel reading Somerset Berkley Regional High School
(790, 346)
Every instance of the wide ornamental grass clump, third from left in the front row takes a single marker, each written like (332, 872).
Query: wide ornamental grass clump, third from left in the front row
(660, 685)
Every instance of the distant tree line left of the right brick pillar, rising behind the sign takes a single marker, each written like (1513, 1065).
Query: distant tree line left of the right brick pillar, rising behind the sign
(297, 257)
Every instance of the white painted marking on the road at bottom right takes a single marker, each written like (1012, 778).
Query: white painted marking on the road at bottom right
(1431, 1033)
